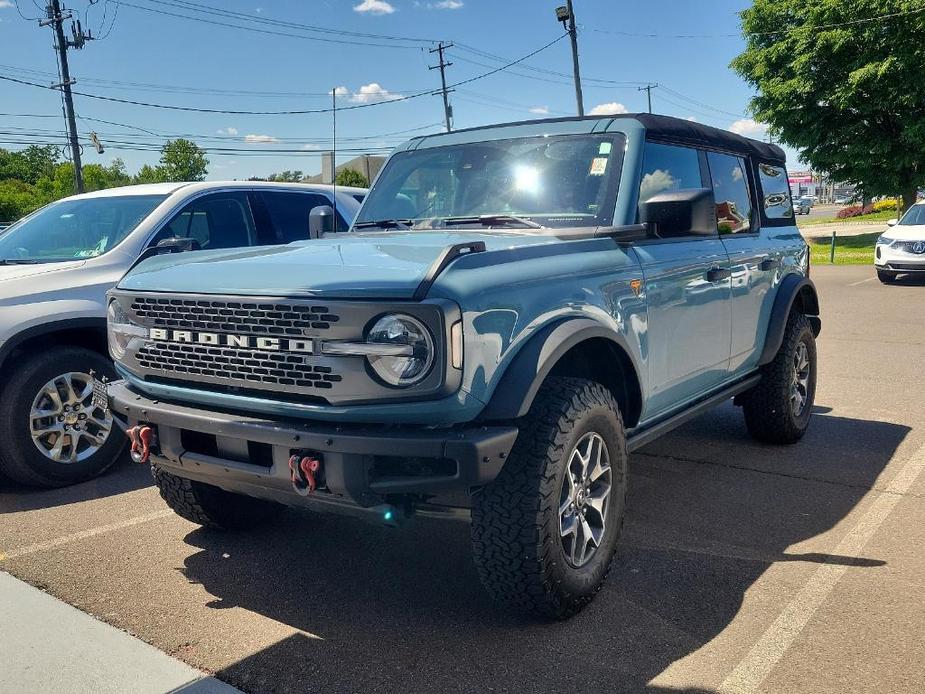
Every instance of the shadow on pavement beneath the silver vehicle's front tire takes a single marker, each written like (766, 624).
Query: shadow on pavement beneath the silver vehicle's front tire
(124, 476)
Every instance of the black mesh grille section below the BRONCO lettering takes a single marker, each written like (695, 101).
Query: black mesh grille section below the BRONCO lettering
(236, 364)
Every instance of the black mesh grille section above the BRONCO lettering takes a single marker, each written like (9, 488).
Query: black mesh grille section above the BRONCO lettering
(234, 316)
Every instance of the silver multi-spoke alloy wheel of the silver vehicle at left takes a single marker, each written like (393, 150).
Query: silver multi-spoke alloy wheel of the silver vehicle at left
(64, 424)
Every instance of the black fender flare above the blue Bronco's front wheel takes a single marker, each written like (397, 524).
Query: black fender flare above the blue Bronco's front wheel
(523, 377)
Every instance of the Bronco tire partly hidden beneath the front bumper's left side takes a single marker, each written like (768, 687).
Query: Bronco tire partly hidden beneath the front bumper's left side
(210, 506)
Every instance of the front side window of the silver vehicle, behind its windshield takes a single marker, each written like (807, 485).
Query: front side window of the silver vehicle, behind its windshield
(222, 220)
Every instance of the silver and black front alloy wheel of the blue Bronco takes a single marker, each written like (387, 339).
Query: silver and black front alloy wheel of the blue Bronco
(584, 499)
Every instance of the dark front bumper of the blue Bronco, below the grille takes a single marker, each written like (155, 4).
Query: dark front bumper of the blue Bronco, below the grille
(365, 465)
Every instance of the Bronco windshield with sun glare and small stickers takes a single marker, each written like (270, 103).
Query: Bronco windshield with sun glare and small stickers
(556, 181)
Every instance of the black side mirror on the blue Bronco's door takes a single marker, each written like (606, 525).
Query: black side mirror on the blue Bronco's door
(688, 212)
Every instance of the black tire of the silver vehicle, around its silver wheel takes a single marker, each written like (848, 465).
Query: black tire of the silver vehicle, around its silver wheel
(20, 460)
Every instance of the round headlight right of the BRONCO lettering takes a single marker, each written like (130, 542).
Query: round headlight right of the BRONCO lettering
(412, 364)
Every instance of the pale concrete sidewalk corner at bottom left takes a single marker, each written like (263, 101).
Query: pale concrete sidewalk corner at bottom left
(49, 646)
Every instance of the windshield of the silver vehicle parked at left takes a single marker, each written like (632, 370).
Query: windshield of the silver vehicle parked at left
(73, 229)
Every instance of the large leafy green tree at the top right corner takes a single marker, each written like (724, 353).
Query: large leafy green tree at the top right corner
(848, 93)
